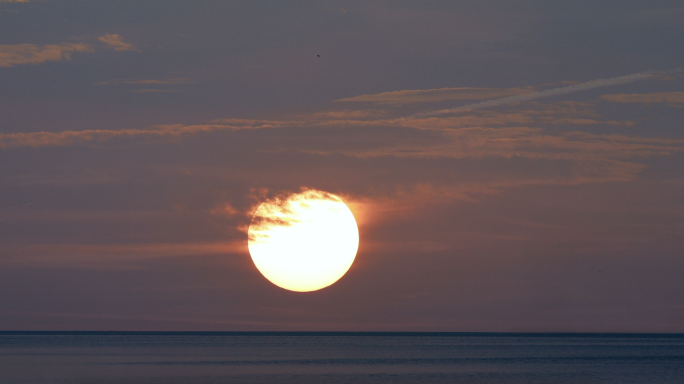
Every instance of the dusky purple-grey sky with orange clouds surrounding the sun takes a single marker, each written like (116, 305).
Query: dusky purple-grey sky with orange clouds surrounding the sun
(512, 166)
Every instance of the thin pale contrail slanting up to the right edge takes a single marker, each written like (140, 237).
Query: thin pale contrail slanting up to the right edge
(552, 92)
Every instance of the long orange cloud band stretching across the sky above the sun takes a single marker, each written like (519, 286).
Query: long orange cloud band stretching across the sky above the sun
(478, 134)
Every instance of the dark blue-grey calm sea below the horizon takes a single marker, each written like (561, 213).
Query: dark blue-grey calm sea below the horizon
(215, 357)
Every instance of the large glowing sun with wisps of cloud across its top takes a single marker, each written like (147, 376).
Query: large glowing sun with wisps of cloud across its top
(305, 241)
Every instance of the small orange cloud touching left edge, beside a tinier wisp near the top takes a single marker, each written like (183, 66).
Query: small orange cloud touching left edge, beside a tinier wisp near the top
(11, 55)
